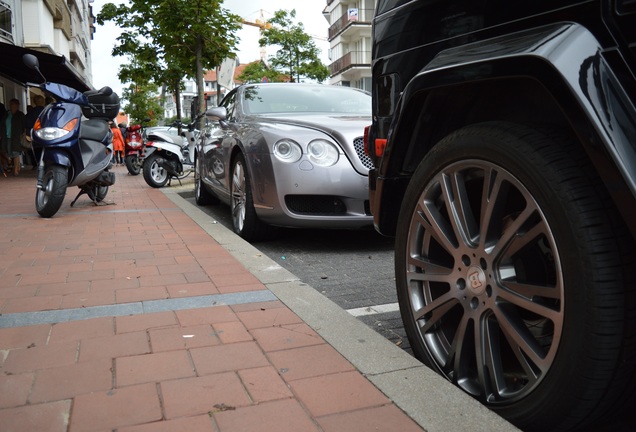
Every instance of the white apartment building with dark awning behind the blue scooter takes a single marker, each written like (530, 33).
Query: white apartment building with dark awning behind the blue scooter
(58, 32)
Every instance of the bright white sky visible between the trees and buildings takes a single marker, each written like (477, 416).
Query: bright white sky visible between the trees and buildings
(309, 12)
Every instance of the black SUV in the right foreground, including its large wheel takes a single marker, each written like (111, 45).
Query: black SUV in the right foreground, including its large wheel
(504, 140)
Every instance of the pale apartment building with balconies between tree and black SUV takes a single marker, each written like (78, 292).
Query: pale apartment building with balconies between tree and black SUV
(350, 41)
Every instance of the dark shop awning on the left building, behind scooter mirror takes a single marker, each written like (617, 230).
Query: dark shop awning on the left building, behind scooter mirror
(55, 68)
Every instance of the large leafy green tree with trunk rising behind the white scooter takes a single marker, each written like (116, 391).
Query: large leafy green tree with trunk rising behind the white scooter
(172, 39)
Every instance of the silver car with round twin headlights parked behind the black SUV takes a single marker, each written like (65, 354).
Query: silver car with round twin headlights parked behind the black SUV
(287, 155)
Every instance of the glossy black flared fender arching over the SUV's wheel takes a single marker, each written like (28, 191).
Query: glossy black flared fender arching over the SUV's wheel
(567, 60)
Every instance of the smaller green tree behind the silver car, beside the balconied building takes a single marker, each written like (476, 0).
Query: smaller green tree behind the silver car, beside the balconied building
(297, 53)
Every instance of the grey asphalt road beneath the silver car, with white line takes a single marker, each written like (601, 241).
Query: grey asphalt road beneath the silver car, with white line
(354, 269)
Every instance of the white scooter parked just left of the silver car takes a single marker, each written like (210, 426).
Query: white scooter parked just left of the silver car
(169, 156)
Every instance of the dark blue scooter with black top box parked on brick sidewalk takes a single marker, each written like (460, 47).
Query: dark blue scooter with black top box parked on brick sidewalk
(72, 151)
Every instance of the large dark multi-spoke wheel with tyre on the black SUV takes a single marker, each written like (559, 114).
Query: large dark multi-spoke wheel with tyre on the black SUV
(510, 278)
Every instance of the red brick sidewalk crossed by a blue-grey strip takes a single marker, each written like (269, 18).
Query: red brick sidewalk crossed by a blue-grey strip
(189, 345)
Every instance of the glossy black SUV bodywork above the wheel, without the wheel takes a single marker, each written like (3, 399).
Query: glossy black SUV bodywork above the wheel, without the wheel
(584, 68)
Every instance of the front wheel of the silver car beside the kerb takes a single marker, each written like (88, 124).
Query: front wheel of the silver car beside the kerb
(244, 219)
